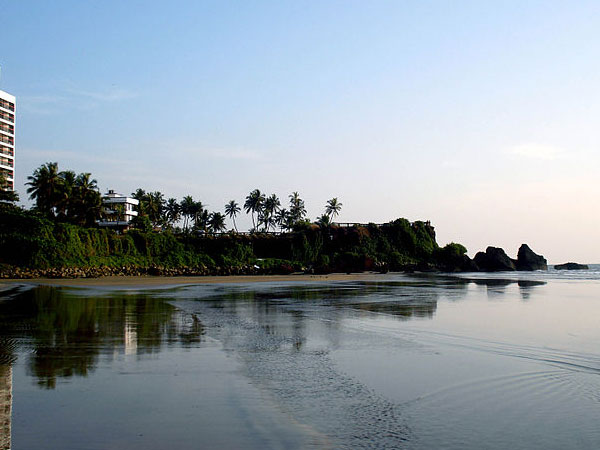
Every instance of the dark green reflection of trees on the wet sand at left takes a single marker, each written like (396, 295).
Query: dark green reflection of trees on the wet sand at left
(69, 332)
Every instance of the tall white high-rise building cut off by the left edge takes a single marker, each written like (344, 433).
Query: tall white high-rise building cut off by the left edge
(7, 138)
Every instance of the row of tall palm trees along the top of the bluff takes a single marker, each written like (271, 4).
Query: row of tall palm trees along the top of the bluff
(75, 198)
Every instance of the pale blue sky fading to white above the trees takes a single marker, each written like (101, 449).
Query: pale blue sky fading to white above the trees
(481, 117)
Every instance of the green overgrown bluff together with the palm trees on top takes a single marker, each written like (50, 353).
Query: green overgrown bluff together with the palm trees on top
(61, 232)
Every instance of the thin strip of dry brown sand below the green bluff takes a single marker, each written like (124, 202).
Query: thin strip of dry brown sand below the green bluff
(150, 281)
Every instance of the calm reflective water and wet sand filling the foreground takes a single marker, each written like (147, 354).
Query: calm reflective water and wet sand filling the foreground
(469, 361)
